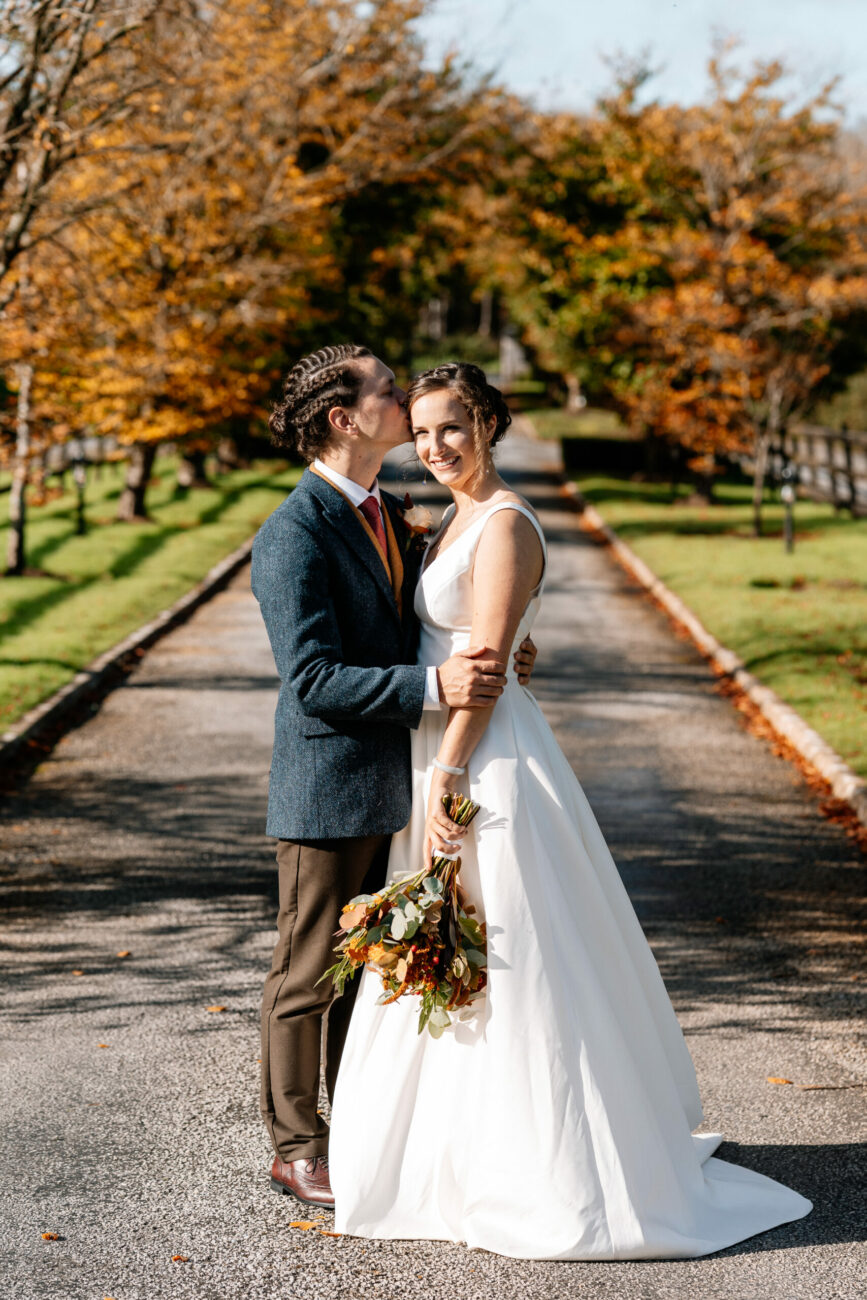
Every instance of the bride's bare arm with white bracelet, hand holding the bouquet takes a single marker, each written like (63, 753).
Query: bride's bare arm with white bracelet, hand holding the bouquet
(509, 566)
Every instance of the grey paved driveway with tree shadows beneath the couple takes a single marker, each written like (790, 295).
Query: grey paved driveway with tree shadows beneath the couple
(129, 1110)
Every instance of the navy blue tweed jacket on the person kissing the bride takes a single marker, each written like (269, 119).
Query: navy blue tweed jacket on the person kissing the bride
(350, 688)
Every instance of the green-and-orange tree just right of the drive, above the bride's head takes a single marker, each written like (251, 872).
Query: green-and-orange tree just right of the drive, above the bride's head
(567, 232)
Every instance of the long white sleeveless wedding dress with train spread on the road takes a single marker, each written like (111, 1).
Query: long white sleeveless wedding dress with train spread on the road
(554, 1121)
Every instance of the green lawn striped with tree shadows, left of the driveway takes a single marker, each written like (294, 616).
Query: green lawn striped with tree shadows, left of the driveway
(102, 587)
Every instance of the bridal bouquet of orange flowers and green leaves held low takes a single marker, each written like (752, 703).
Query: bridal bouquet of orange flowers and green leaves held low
(421, 937)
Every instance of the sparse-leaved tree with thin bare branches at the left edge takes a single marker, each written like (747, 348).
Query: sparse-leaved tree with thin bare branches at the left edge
(64, 79)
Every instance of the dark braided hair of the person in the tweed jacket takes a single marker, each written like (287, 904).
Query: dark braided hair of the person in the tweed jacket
(318, 383)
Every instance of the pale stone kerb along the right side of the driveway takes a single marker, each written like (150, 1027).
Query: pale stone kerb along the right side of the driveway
(787, 722)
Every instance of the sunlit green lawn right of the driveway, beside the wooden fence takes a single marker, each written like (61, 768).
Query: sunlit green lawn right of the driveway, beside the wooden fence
(799, 622)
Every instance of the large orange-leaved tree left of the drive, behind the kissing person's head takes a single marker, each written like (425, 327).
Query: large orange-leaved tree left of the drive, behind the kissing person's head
(268, 133)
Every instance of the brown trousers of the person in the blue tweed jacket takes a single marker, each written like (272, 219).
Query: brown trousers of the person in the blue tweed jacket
(317, 878)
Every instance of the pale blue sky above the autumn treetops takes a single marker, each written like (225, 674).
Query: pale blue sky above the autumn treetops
(554, 50)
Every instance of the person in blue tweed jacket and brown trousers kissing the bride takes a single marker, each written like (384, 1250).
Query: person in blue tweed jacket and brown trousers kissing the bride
(335, 571)
